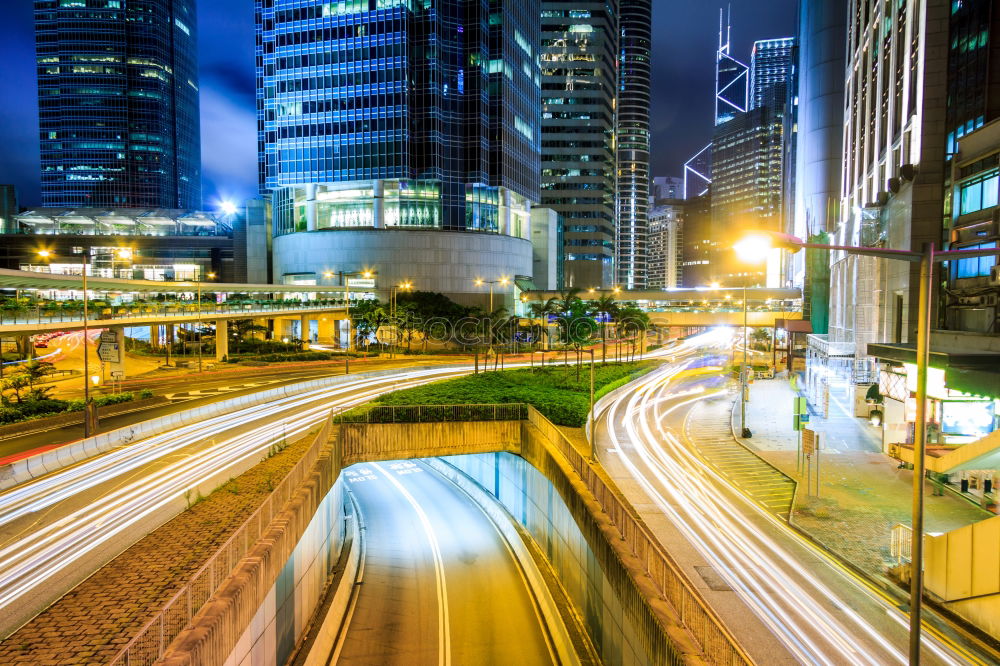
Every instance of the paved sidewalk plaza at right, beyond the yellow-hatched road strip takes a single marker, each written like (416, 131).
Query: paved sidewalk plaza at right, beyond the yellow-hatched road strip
(862, 492)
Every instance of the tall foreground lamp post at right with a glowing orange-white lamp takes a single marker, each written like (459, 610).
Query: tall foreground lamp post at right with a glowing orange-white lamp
(761, 242)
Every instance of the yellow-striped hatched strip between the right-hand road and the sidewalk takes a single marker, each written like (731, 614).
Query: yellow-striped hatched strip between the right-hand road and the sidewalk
(708, 429)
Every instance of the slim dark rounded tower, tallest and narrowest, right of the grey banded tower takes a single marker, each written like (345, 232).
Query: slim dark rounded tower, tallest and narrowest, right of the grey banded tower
(632, 141)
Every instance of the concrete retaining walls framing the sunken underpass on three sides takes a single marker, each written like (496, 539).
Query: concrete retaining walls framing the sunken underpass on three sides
(261, 610)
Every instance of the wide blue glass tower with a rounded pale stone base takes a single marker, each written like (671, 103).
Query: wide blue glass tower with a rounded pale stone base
(379, 119)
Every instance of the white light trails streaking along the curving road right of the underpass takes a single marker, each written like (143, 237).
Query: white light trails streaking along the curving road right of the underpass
(815, 623)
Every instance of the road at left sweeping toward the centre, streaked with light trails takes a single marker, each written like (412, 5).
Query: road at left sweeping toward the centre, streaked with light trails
(57, 529)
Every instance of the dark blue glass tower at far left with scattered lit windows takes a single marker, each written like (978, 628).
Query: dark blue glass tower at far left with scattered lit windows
(118, 103)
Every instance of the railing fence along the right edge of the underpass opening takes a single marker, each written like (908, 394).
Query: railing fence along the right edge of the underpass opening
(719, 646)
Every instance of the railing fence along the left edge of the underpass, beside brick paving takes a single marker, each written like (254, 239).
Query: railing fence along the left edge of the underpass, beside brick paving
(152, 640)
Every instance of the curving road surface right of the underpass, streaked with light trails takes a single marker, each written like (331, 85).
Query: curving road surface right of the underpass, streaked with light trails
(811, 609)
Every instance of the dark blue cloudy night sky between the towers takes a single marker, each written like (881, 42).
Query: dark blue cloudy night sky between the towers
(684, 41)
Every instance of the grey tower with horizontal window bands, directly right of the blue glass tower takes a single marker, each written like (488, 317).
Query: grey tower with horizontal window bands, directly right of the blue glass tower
(579, 54)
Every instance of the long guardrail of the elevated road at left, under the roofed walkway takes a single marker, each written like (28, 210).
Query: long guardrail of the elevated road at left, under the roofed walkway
(164, 311)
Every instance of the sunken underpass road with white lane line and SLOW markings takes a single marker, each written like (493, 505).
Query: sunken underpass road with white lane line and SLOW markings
(440, 585)
